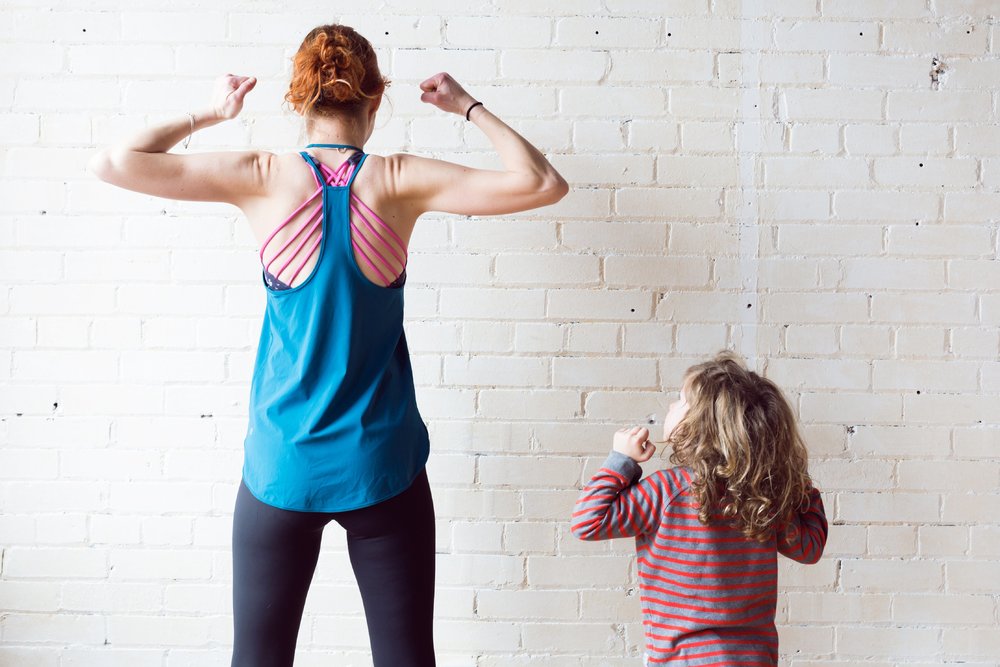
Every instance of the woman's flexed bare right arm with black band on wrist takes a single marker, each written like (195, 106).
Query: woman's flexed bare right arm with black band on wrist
(527, 181)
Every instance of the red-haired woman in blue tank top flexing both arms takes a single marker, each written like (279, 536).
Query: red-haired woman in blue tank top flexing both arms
(334, 430)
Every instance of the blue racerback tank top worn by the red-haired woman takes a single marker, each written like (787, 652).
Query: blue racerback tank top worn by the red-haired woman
(334, 424)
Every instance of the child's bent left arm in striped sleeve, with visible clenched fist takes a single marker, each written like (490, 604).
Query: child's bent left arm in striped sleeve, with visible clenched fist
(612, 504)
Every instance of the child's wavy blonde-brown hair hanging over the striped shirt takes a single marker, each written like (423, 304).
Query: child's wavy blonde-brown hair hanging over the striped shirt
(740, 438)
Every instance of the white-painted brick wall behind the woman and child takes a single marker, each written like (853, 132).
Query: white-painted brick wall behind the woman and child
(777, 177)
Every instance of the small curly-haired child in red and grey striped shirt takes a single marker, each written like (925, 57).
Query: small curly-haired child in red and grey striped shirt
(707, 532)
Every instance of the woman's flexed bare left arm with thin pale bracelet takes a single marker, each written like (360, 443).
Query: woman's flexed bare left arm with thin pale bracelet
(142, 163)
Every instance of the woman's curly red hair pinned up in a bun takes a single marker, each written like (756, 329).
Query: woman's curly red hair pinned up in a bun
(334, 71)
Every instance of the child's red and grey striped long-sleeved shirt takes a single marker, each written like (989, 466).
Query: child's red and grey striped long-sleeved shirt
(708, 594)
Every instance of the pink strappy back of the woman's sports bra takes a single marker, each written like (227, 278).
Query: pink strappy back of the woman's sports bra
(375, 244)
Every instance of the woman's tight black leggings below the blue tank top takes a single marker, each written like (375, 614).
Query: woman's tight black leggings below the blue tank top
(391, 546)
